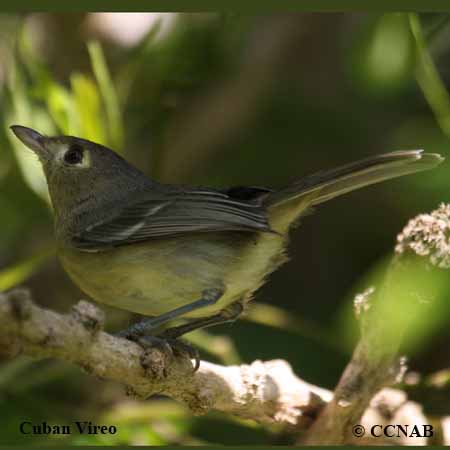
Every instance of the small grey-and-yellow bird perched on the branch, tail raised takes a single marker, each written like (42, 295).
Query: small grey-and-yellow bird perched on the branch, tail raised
(180, 252)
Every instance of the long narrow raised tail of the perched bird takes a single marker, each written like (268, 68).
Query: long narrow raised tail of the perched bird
(285, 205)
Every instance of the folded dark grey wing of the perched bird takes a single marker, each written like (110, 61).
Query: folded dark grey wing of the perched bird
(154, 215)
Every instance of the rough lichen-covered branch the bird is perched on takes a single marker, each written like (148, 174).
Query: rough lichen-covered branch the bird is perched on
(263, 391)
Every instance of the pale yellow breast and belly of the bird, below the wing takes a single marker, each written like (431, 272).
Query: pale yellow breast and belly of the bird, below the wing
(157, 276)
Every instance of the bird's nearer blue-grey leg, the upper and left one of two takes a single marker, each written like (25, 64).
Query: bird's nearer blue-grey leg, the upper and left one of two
(146, 327)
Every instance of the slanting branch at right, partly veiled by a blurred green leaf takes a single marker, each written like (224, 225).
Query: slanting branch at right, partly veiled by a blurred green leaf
(375, 362)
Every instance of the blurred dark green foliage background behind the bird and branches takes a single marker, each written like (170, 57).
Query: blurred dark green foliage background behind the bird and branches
(223, 99)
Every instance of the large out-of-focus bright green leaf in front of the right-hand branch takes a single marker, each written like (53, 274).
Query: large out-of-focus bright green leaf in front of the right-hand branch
(410, 296)
